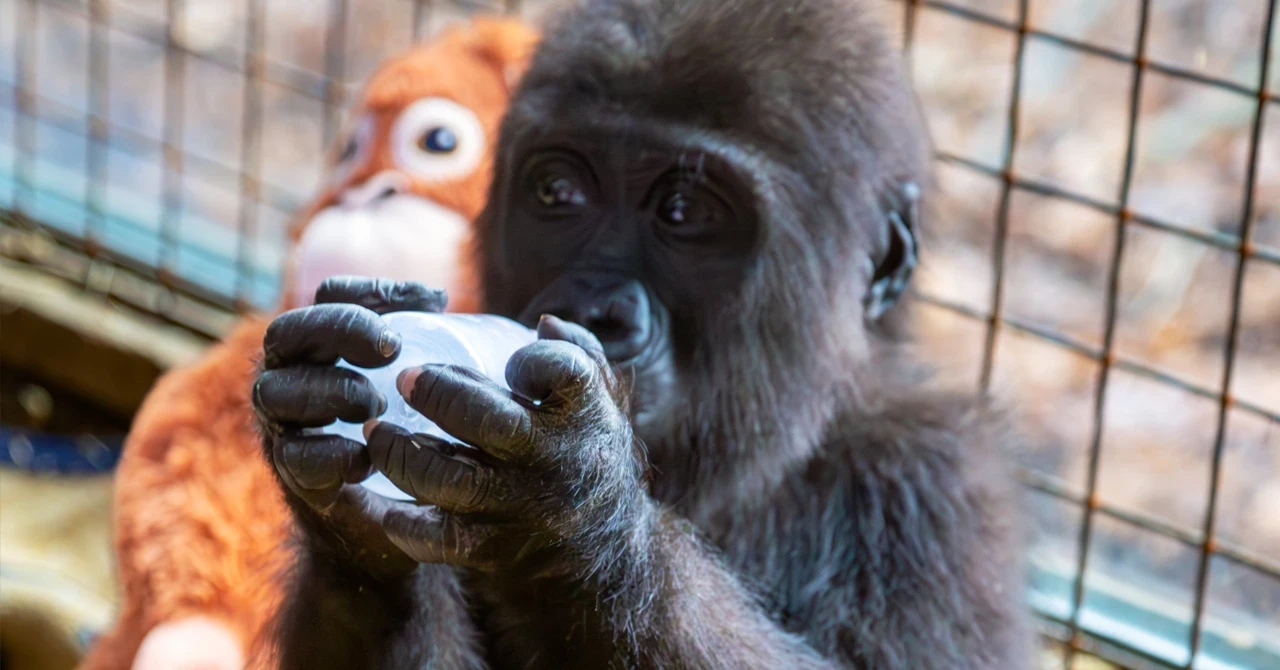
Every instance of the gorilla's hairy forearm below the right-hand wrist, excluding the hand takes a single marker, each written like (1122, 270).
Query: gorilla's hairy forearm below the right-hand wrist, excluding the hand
(661, 600)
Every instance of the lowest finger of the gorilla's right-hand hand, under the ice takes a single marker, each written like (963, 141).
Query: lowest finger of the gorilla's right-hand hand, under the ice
(438, 537)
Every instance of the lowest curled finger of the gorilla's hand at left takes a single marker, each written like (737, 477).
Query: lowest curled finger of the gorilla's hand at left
(322, 463)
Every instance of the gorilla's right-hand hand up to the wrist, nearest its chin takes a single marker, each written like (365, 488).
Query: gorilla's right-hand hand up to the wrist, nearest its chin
(552, 477)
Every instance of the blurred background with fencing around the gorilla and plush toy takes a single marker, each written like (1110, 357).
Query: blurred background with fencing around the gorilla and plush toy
(1104, 252)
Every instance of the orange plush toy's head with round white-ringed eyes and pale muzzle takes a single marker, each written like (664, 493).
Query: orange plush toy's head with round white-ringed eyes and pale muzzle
(413, 167)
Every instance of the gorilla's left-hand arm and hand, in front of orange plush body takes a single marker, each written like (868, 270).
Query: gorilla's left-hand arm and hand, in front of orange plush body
(356, 601)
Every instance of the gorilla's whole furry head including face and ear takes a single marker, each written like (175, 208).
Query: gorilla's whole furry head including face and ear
(730, 221)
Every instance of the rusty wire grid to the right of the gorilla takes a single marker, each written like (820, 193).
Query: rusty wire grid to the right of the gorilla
(1108, 359)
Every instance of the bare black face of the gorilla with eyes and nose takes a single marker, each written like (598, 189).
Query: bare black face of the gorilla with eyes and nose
(638, 241)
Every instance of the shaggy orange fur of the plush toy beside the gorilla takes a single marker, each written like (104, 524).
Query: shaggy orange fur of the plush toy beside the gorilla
(202, 531)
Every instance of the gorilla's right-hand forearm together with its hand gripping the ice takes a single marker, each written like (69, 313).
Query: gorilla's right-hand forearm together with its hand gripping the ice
(580, 563)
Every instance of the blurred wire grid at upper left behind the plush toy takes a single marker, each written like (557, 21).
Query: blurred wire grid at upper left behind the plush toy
(156, 286)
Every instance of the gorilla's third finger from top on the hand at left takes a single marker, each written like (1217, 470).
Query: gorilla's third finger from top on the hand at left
(317, 396)
